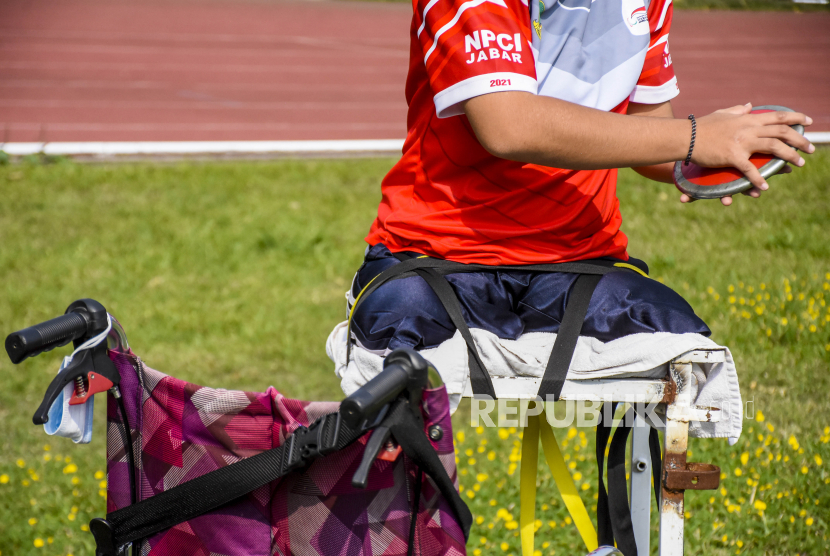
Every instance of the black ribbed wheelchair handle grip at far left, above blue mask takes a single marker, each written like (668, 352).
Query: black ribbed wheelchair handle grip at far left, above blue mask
(45, 336)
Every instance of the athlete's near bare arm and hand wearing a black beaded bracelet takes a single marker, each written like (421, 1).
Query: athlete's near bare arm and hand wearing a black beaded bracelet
(543, 130)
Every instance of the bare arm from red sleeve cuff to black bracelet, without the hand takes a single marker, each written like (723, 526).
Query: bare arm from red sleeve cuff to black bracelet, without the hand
(551, 132)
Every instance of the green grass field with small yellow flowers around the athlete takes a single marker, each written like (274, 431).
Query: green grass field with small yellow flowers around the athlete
(232, 275)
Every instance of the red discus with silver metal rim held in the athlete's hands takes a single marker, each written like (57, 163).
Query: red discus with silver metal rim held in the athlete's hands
(713, 183)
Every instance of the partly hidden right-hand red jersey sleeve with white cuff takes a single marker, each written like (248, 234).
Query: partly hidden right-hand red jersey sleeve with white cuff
(657, 82)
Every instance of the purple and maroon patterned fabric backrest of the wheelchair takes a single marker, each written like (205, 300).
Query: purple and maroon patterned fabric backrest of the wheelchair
(182, 431)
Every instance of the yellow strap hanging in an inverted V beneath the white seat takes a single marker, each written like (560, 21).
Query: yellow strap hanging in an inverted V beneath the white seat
(537, 425)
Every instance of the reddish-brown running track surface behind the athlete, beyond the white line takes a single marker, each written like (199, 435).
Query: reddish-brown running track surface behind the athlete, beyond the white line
(171, 70)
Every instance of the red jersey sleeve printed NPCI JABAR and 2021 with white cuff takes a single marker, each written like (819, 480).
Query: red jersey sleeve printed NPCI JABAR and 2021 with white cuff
(474, 47)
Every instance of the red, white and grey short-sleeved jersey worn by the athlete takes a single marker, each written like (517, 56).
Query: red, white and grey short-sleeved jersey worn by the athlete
(448, 197)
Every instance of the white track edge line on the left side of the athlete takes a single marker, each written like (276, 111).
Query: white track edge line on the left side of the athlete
(115, 148)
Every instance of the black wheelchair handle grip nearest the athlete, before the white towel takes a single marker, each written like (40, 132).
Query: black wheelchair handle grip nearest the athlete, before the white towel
(403, 369)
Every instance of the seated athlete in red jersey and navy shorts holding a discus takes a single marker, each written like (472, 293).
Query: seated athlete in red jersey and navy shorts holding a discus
(518, 118)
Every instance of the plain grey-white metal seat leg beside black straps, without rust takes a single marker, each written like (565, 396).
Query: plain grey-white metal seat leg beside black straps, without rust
(640, 494)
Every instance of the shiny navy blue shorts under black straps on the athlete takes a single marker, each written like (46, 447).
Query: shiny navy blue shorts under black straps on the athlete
(406, 312)
